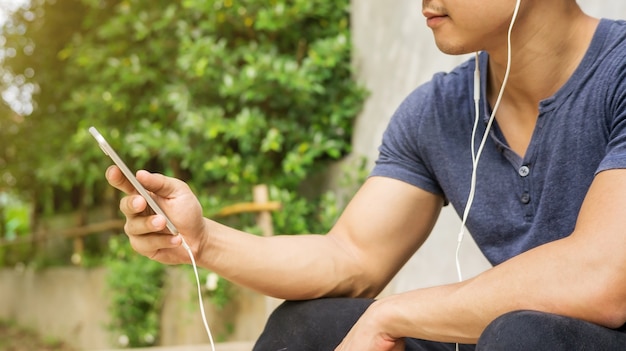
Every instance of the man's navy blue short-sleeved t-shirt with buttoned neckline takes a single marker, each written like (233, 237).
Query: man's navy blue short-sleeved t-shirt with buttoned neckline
(520, 203)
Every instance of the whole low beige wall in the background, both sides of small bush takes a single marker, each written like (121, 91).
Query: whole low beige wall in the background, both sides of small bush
(71, 304)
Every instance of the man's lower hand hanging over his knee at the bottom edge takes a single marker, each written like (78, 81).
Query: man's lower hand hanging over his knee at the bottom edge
(368, 334)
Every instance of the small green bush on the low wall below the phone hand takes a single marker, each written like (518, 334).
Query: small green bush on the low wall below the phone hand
(135, 285)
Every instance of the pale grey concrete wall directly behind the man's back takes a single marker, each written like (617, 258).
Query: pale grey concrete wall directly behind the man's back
(395, 52)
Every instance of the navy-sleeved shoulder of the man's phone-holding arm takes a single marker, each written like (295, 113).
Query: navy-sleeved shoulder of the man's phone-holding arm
(436, 113)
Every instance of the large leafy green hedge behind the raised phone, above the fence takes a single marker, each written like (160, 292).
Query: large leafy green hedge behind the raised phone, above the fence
(222, 94)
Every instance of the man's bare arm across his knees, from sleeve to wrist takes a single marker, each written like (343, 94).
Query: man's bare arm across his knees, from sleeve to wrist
(581, 276)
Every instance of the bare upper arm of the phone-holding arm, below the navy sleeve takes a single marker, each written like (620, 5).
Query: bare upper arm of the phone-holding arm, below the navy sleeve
(383, 225)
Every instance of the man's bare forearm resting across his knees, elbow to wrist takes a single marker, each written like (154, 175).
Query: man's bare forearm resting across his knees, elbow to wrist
(553, 278)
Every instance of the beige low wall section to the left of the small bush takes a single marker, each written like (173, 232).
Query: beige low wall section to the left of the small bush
(61, 303)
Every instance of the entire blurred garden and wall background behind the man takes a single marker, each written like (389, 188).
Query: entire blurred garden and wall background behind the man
(271, 110)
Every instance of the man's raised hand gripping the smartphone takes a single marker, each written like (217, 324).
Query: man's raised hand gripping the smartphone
(147, 232)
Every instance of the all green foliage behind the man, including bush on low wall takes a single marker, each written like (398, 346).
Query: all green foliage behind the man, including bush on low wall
(222, 94)
